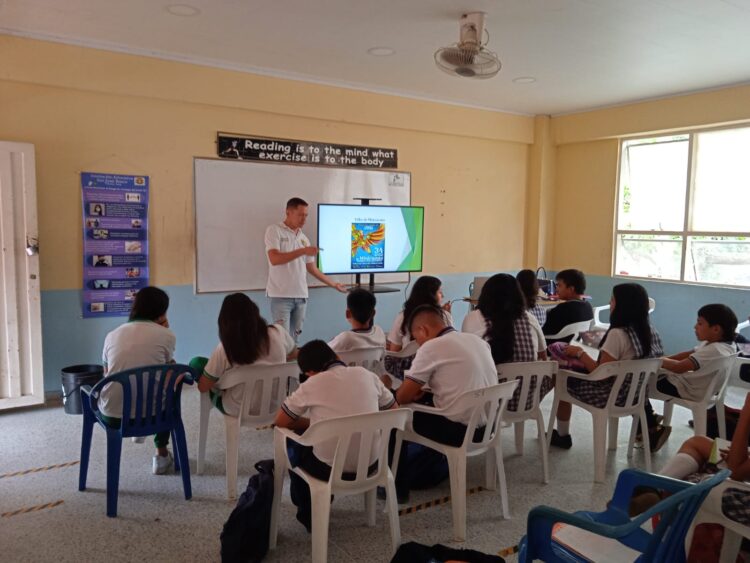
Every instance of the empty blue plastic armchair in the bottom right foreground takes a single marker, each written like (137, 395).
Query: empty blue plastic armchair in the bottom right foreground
(665, 544)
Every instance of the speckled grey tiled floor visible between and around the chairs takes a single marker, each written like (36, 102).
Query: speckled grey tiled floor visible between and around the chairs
(155, 523)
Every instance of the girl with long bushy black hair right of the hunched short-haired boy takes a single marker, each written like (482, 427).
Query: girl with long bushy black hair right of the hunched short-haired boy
(514, 334)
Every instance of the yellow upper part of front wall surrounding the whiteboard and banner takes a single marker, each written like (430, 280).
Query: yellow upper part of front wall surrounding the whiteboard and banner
(89, 110)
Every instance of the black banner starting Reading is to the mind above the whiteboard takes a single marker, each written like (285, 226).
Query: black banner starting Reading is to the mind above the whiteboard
(304, 152)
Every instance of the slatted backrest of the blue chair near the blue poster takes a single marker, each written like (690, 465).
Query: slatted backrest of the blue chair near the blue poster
(151, 394)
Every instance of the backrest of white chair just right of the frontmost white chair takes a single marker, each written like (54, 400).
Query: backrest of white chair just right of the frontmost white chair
(486, 407)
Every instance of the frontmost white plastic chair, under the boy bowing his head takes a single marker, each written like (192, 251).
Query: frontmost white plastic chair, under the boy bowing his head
(358, 431)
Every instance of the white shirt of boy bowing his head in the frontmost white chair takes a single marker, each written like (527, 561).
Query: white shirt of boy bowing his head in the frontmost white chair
(339, 391)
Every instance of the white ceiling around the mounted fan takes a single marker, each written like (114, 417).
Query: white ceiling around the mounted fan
(583, 53)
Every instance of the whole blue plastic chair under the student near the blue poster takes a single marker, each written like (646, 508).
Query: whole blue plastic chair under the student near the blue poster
(146, 387)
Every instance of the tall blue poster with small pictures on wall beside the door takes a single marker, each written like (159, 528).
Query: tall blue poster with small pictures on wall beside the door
(115, 242)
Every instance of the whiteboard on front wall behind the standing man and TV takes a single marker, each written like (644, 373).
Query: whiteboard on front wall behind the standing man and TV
(236, 200)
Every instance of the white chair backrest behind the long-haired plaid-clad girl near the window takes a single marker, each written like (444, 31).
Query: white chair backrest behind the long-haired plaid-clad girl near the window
(631, 379)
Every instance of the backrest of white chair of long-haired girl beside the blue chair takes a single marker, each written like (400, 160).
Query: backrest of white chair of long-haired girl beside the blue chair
(264, 389)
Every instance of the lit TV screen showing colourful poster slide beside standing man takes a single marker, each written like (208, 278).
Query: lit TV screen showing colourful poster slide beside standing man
(365, 239)
